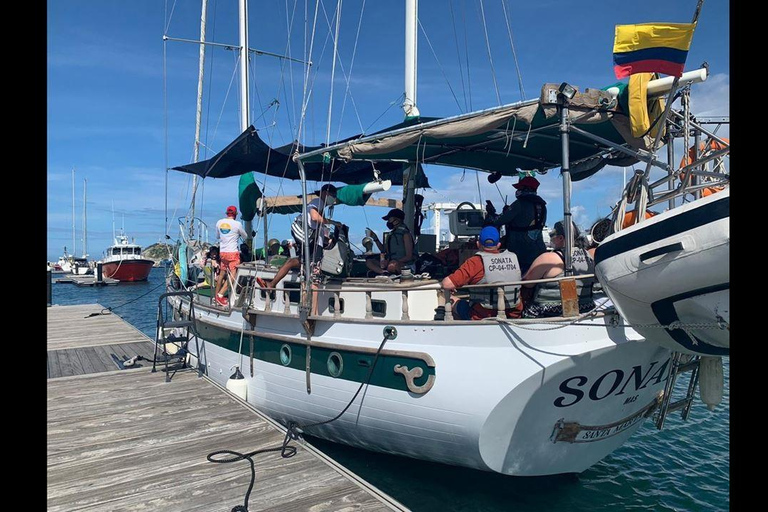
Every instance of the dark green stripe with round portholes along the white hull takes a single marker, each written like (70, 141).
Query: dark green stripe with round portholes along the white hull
(355, 365)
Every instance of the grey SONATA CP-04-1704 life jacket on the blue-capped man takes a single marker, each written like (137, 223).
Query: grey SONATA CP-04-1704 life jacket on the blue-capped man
(499, 267)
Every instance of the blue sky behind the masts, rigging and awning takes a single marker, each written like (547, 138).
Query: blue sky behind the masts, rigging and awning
(107, 116)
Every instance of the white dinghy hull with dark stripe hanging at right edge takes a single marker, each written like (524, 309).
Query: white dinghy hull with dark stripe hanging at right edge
(674, 267)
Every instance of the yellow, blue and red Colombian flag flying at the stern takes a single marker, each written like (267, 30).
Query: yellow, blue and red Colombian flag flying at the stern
(651, 48)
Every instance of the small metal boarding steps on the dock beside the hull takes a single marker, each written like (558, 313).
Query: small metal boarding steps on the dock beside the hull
(176, 360)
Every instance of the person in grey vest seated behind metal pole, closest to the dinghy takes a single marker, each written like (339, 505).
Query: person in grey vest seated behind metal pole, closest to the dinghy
(543, 299)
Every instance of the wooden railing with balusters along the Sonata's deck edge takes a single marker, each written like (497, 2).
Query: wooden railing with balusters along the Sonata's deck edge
(417, 299)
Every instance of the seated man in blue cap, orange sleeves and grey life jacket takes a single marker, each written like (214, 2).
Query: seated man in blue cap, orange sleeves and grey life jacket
(489, 265)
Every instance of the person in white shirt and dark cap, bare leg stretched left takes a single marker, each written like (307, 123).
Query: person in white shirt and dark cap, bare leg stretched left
(315, 235)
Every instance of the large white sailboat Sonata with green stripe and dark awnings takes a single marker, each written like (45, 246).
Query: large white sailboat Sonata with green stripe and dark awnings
(518, 397)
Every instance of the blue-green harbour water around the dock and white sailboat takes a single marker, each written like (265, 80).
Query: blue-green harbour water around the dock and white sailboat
(684, 467)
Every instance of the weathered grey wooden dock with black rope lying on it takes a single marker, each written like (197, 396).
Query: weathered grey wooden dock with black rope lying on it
(127, 440)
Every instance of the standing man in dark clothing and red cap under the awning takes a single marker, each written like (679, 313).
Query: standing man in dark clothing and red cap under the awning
(524, 221)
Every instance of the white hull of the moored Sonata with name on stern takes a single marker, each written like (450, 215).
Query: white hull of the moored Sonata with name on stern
(511, 400)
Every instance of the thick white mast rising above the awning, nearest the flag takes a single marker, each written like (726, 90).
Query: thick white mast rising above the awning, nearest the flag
(409, 104)
